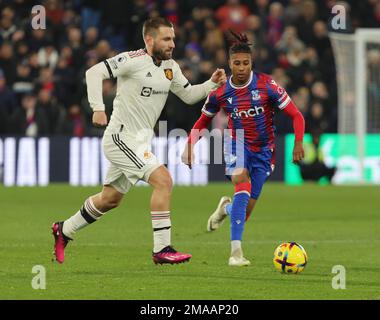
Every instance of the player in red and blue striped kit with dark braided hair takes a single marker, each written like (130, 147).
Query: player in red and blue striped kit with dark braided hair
(249, 98)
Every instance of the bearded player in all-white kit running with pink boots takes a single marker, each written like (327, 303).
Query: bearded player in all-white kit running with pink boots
(144, 79)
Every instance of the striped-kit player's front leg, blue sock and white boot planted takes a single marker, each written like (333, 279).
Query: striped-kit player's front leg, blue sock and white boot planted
(242, 184)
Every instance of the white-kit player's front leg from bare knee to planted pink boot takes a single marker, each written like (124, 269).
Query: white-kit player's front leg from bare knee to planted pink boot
(163, 252)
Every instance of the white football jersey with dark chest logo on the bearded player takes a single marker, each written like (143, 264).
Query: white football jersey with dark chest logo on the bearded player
(142, 90)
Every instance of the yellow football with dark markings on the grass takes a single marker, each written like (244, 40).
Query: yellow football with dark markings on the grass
(290, 257)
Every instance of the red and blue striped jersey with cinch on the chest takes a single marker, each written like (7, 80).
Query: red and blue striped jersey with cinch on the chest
(250, 107)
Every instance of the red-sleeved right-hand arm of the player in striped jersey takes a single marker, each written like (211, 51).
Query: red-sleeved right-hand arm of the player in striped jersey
(299, 130)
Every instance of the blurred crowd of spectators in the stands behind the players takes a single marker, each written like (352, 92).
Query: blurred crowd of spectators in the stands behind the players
(42, 83)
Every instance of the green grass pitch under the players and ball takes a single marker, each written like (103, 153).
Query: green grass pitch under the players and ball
(111, 259)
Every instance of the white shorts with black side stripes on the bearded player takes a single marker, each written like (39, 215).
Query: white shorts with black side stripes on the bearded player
(130, 161)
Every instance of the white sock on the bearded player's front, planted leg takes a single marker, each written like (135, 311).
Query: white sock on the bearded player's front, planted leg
(161, 229)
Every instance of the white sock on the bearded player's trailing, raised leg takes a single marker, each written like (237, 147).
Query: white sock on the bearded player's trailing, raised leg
(85, 216)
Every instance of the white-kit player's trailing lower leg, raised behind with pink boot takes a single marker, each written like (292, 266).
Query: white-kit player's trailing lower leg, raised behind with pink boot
(92, 210)
